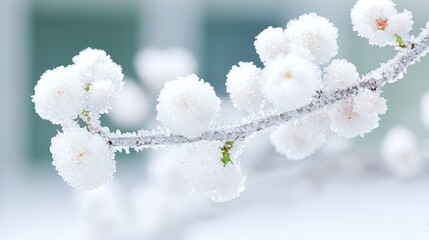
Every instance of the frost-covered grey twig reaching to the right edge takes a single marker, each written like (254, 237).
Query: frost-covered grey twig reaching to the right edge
(387, 72)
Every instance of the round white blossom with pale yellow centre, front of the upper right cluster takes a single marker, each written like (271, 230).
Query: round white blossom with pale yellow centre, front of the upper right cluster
(290, 82)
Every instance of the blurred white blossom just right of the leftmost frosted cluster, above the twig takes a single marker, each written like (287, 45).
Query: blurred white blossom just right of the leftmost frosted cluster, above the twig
(131, 107)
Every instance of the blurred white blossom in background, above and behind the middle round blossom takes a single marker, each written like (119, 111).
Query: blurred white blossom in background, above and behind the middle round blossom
(156, 66)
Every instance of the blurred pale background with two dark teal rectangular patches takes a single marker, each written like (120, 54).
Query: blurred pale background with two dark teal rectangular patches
(343, 191)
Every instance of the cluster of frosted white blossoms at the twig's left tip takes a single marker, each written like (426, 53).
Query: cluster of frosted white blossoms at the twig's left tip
(86, 89)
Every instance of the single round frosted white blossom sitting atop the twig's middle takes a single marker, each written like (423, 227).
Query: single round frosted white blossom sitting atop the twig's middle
(187, 106)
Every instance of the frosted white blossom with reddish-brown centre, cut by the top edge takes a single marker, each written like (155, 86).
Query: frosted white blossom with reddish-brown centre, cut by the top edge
(379, 21)
